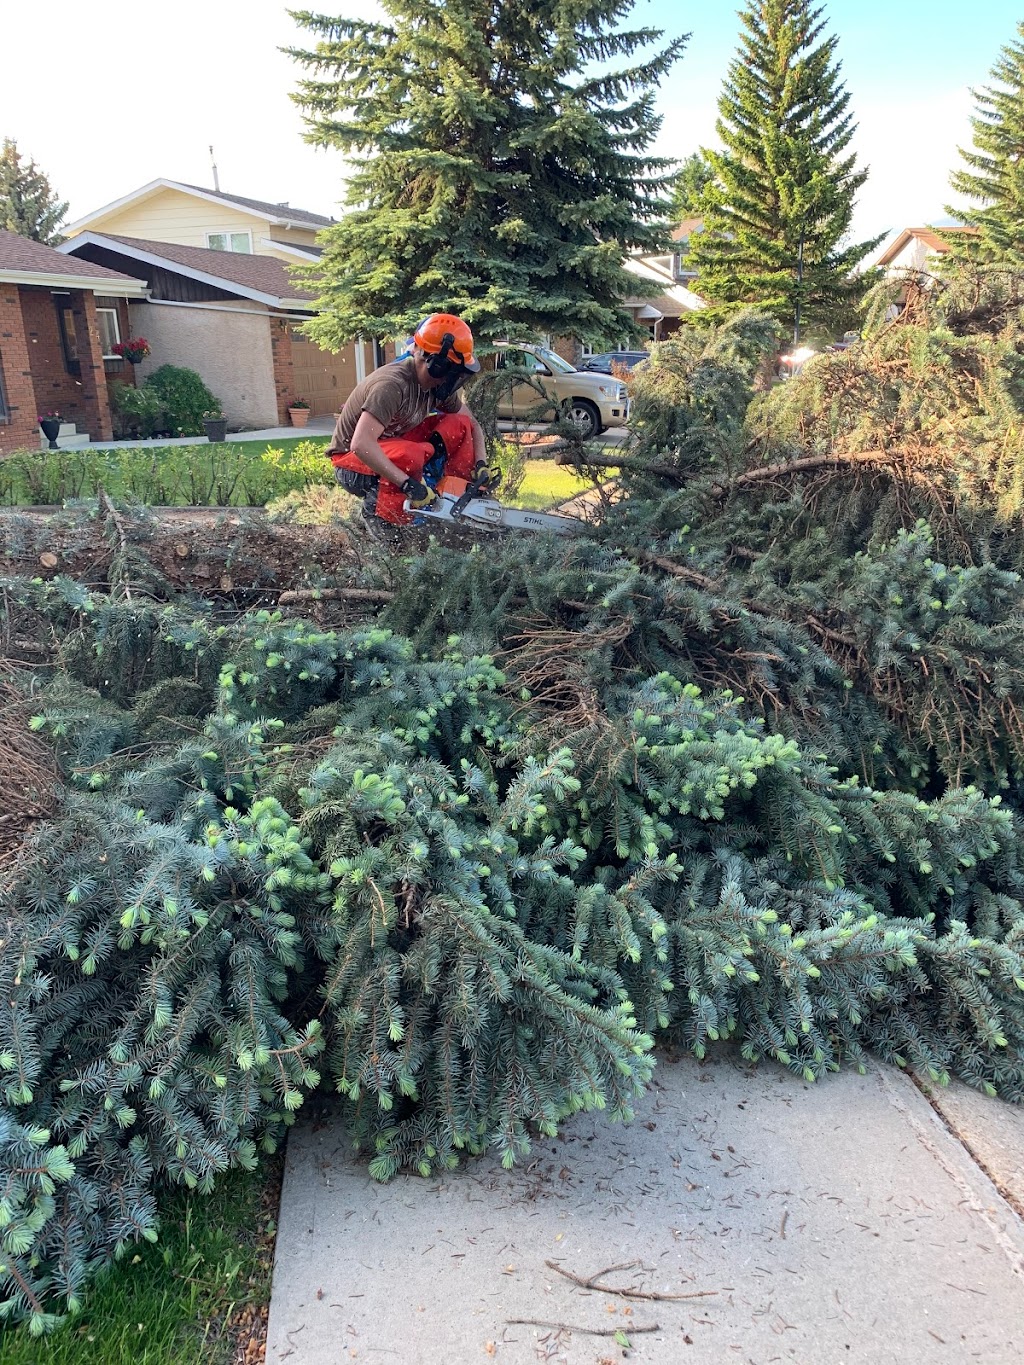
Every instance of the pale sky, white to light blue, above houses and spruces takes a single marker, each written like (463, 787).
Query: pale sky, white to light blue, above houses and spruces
(156, 84)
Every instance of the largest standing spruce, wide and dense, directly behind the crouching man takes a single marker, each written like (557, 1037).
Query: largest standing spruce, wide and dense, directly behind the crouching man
(502, 169)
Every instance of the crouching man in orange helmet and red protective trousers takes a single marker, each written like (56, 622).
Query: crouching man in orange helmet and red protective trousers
(405, 427)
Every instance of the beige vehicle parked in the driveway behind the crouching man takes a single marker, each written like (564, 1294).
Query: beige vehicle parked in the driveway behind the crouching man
(593, 402)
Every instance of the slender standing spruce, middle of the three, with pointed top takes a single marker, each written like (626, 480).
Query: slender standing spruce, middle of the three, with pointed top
(779, 211)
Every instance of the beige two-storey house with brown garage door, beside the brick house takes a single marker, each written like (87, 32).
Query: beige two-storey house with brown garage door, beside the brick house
(221, 297)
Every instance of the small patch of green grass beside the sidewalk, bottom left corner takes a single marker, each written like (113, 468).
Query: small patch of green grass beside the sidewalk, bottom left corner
(174, 1303)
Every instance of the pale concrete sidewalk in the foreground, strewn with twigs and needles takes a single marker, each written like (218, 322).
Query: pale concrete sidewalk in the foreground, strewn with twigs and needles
(764, 1218)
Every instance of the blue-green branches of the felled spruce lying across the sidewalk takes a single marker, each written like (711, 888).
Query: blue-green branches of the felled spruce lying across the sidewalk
(742, 765)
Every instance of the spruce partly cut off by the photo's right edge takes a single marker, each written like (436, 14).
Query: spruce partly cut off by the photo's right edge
(995, 173)
